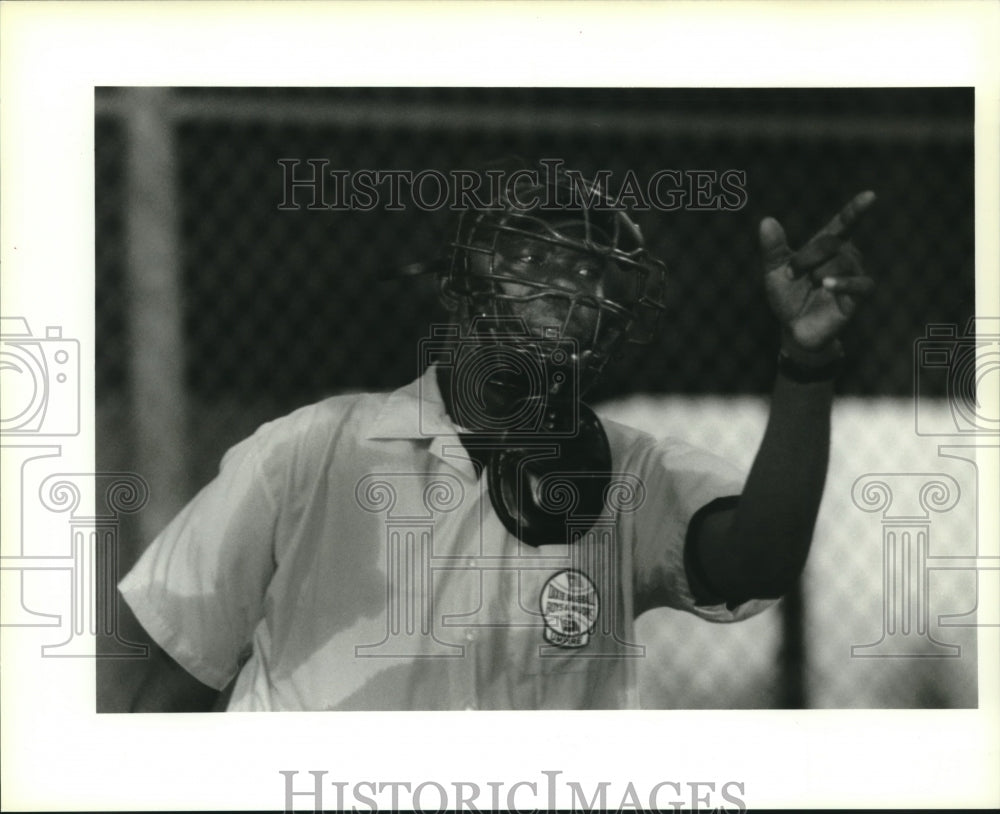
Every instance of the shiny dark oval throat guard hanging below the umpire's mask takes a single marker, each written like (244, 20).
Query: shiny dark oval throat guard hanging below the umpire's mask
(544, 496)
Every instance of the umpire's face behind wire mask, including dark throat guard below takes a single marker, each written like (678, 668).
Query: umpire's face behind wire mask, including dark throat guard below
(519, 379)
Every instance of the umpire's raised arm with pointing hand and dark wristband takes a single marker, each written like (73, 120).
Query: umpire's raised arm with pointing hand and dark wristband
(757, 549)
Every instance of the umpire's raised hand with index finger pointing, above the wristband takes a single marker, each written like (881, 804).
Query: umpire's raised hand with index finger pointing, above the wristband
(815, 290)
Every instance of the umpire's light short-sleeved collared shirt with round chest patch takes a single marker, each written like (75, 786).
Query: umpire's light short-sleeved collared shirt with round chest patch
(347, 557)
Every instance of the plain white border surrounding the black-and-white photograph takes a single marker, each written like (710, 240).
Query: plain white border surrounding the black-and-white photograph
(58, 754)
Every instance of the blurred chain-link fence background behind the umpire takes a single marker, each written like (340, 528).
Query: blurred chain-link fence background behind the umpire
(217, 311)
